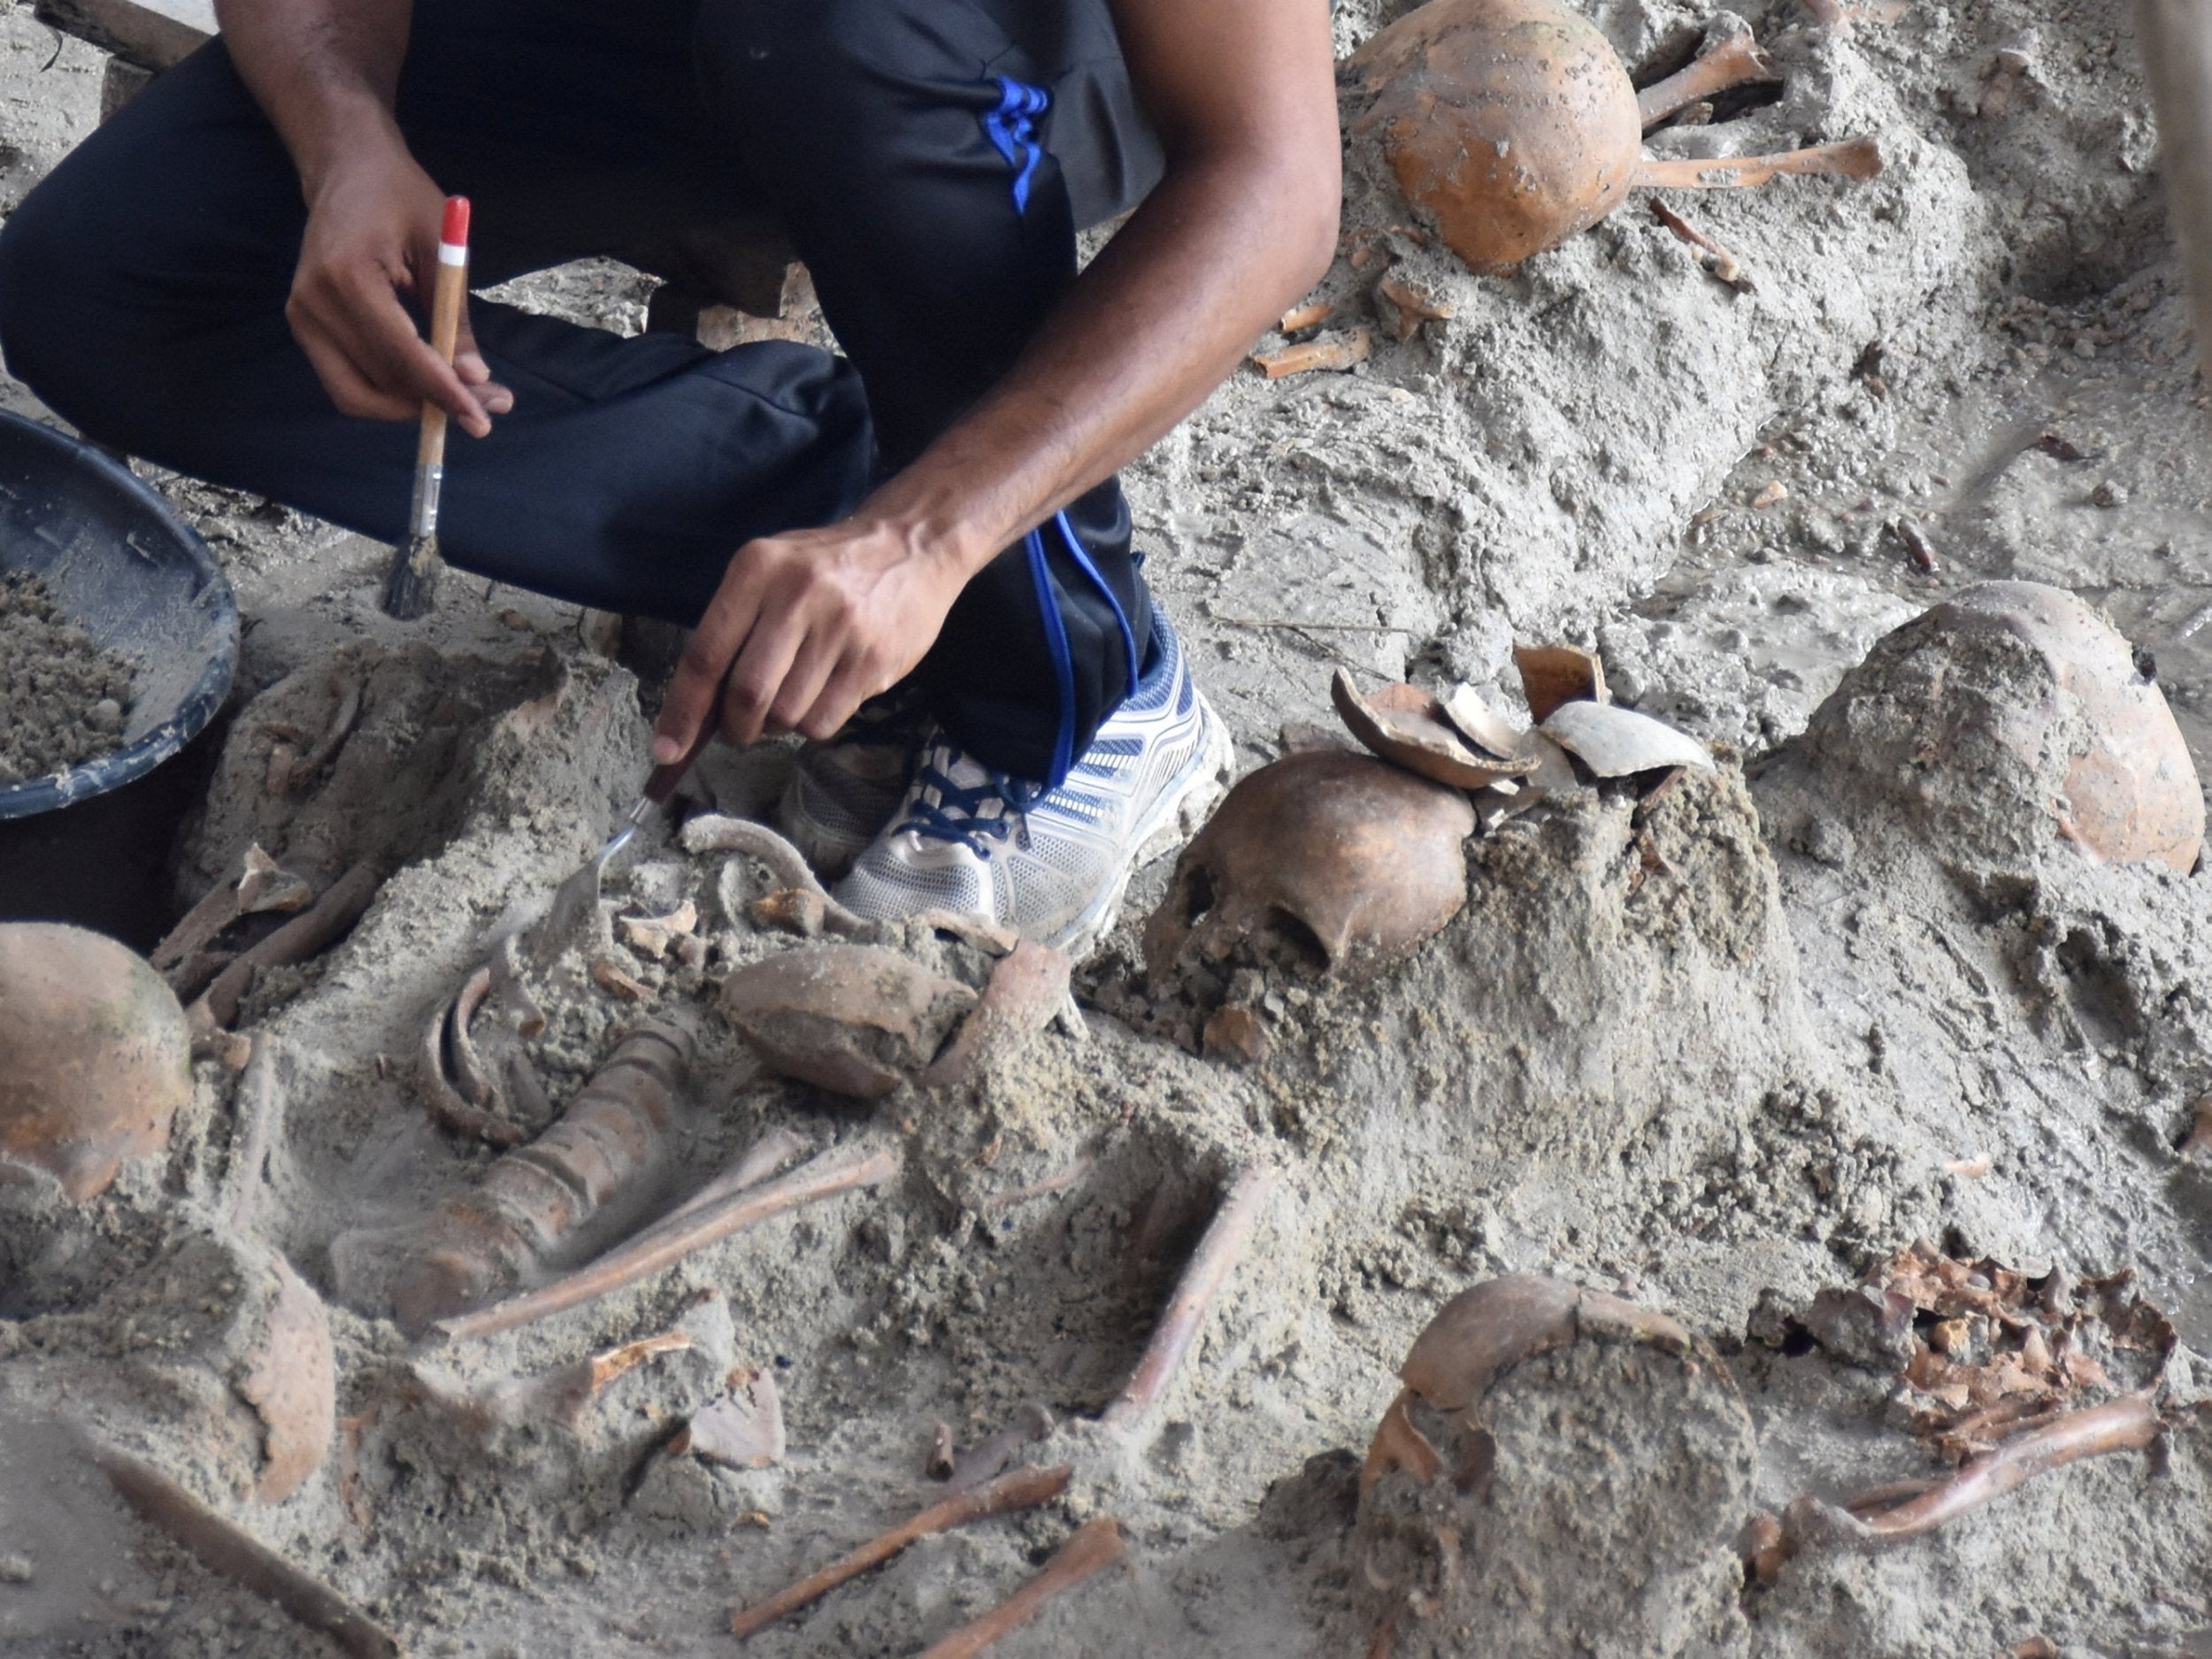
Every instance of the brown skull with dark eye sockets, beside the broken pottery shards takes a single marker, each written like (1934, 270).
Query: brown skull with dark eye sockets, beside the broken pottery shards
(1322, 855)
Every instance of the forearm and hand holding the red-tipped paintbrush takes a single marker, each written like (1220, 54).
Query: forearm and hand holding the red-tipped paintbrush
(328, 72)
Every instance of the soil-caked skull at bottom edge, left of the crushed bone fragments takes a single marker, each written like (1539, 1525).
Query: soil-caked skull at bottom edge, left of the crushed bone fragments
(1576, 1448)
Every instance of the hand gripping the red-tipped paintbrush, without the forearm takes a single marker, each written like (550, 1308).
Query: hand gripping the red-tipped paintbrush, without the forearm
(373, 233)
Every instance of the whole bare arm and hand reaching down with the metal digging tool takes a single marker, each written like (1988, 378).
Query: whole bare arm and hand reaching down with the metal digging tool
(1244, 222)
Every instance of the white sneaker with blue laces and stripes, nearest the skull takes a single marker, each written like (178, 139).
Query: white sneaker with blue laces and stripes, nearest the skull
(1054, 866)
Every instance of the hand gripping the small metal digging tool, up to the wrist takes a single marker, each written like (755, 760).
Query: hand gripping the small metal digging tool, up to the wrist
(804, 629)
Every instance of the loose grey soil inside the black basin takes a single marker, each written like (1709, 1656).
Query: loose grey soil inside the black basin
(63, 700)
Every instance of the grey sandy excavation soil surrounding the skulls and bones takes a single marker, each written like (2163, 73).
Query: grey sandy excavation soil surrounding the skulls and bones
(1718, 1047)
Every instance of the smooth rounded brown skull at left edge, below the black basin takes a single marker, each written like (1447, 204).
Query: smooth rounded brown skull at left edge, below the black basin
(94, 1056)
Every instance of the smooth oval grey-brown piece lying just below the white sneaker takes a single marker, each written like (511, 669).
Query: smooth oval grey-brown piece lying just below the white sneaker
(851, 1019)
